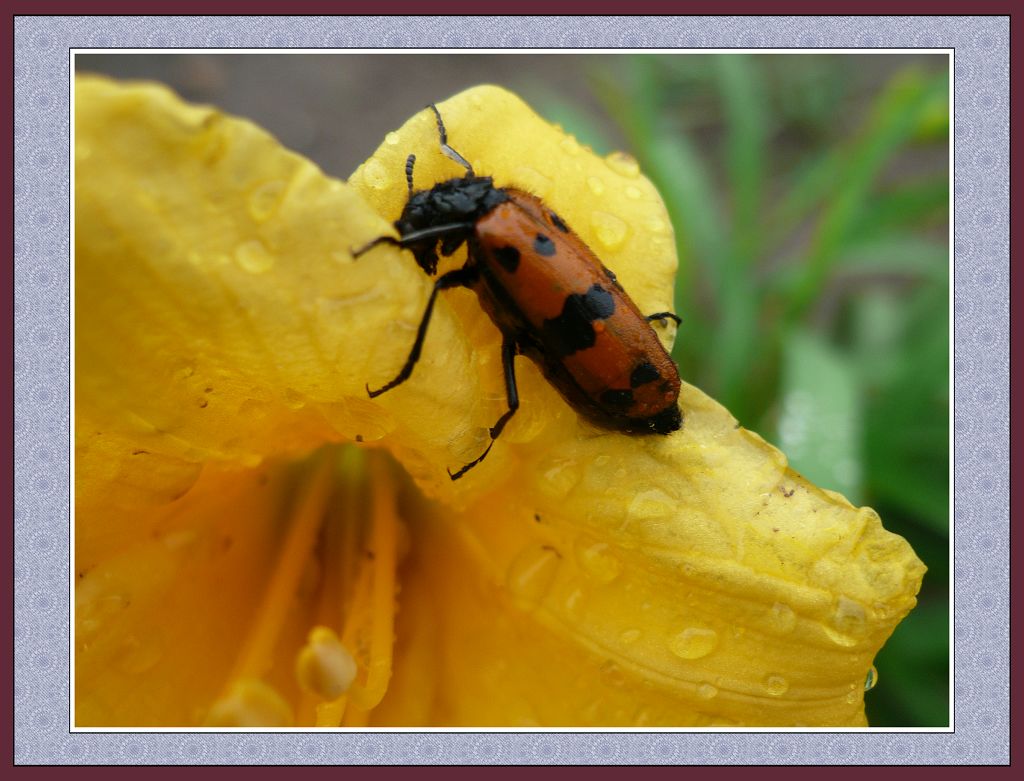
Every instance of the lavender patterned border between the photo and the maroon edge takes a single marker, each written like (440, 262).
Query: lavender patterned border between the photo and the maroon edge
(42, 367)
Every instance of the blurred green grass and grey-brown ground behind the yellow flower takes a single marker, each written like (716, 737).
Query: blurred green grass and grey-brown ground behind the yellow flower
(810, 197)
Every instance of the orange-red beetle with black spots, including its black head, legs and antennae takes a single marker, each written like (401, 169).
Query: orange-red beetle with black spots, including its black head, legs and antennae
(550, 296)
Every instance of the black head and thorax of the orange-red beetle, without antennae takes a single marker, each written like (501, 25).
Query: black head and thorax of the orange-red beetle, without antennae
(447, 213)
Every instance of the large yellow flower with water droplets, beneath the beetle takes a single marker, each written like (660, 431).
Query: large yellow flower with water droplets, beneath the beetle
(240, 562)
